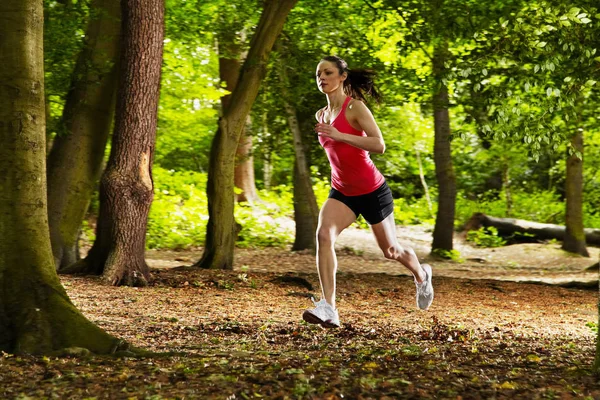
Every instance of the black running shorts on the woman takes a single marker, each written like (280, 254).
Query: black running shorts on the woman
(374, 207)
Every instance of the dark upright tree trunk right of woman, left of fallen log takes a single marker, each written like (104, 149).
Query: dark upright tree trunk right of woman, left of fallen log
(444, 171)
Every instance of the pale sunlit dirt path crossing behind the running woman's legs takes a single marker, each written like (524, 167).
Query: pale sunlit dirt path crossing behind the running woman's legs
(358, 253)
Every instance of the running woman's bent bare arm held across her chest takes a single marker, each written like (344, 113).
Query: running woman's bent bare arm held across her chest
(359, 116)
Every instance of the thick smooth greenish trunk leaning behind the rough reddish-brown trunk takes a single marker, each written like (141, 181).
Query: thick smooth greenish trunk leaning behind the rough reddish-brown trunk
(77, 154)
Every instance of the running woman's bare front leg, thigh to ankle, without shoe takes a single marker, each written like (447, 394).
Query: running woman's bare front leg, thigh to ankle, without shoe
(334, 217)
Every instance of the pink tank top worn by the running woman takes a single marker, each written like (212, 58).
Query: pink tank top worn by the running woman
(352, 171)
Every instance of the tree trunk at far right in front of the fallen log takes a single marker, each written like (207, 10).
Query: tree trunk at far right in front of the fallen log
(575, 237)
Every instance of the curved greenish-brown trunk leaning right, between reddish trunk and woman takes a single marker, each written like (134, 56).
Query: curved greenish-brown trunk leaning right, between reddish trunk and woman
(220, 230)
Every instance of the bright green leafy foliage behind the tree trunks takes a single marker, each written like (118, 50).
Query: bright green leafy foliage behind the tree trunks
(512, 118)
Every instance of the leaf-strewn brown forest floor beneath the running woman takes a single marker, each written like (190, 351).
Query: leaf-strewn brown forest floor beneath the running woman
(239, 334)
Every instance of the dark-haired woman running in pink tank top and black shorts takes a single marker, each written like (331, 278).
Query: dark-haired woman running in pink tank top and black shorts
(348, 133)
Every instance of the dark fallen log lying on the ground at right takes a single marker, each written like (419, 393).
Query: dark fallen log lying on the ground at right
(522, 231)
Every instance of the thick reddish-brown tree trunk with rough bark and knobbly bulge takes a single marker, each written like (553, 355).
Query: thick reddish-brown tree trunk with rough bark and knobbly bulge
(126, 187)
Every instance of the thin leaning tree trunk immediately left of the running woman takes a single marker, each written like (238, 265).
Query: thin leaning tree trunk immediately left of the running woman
(306, 210)
